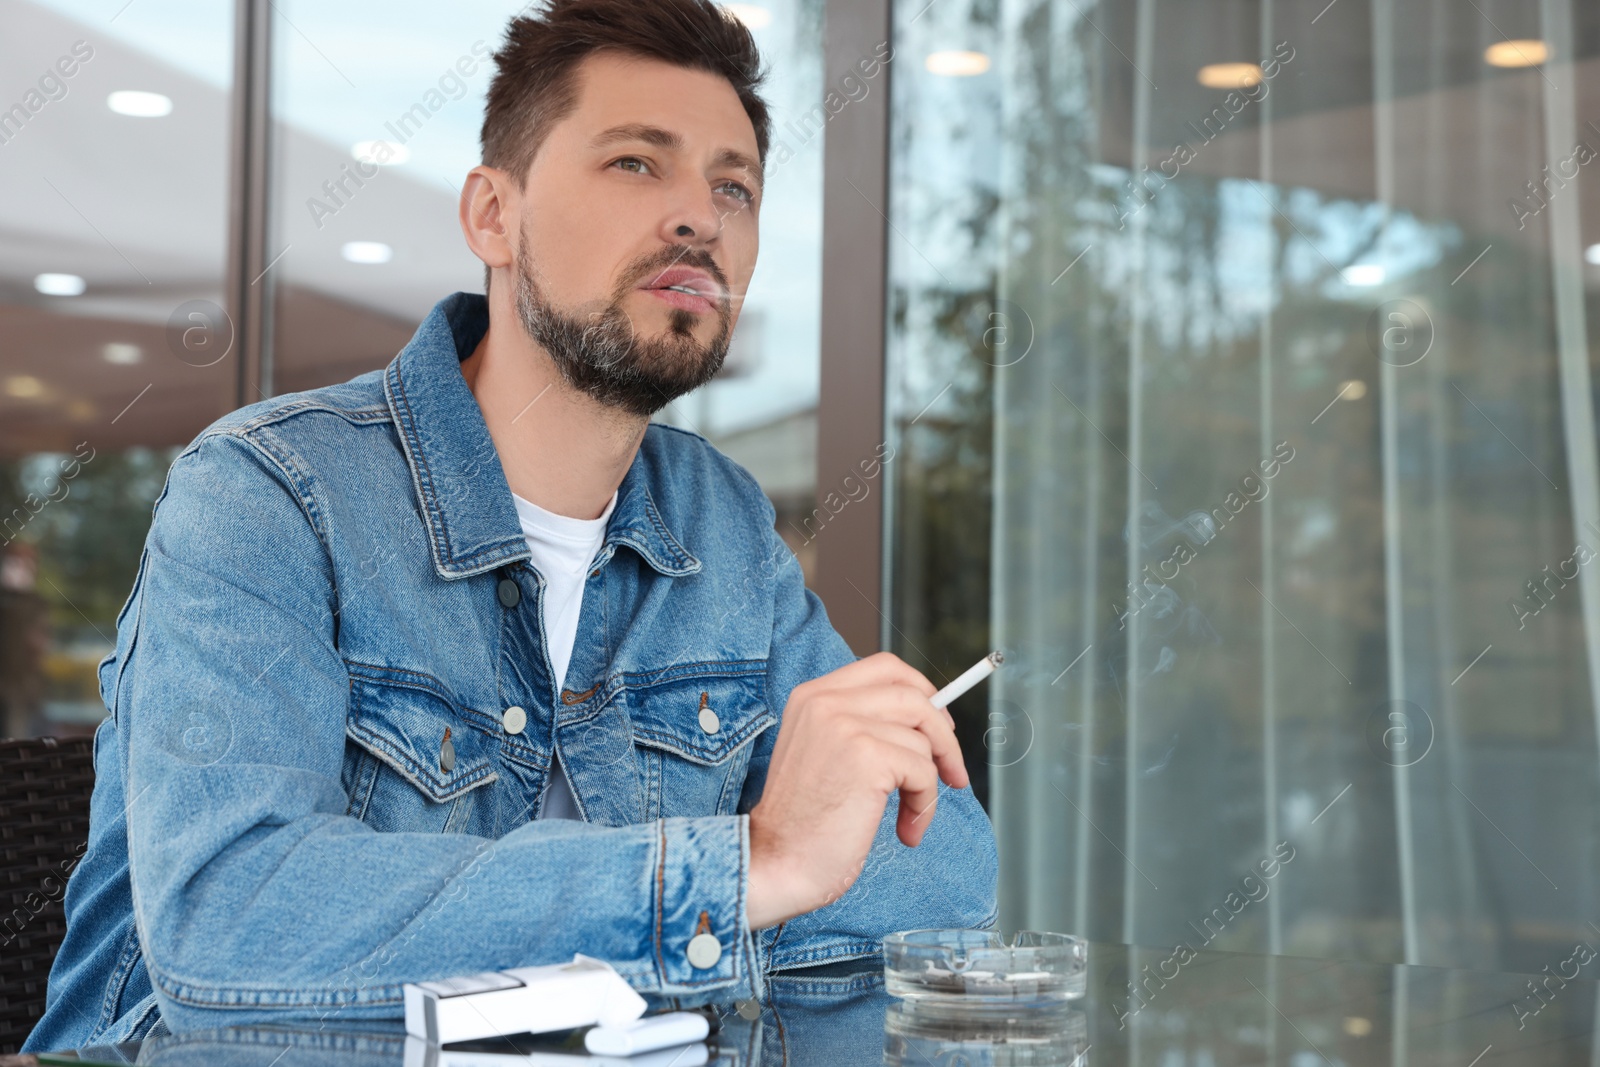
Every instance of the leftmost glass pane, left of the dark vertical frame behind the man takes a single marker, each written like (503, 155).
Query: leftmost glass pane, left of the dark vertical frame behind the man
(114, 153)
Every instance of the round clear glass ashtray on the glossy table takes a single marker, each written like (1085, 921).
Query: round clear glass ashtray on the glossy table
(977, 967)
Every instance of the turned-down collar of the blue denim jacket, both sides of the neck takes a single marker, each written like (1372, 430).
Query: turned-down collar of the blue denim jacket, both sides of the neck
(460, 484)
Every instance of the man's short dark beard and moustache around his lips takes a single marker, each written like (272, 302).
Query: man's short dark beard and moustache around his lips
(599, 353)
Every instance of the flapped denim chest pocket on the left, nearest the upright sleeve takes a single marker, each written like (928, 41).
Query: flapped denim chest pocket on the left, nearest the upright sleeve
(415, 761)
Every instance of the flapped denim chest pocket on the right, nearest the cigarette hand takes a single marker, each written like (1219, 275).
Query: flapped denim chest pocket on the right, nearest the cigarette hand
(695, 737)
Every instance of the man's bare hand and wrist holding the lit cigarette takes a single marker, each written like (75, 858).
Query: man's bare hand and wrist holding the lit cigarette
(849, 740)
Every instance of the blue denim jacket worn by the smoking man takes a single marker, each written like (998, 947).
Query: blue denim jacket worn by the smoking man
(332, 585)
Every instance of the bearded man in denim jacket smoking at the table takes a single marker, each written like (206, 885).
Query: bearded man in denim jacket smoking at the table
(465, 665)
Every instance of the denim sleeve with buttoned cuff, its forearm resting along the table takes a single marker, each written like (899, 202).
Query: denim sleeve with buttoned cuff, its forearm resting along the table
(257, 897)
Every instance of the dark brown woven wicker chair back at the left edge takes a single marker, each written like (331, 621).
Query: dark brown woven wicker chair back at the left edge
(44, 825)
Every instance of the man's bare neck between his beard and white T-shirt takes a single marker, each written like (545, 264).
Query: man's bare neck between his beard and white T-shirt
(561, 449)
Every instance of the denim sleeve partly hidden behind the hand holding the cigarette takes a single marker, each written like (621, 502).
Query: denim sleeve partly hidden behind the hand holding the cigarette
(948, 881)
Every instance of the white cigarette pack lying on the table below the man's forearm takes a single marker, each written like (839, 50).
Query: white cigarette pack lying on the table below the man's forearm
(521, 1001)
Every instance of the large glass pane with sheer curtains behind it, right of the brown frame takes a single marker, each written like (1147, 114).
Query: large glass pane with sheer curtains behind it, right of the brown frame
(1241, 382)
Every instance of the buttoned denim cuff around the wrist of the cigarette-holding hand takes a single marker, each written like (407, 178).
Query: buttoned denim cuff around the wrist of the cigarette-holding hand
(703, 932)
